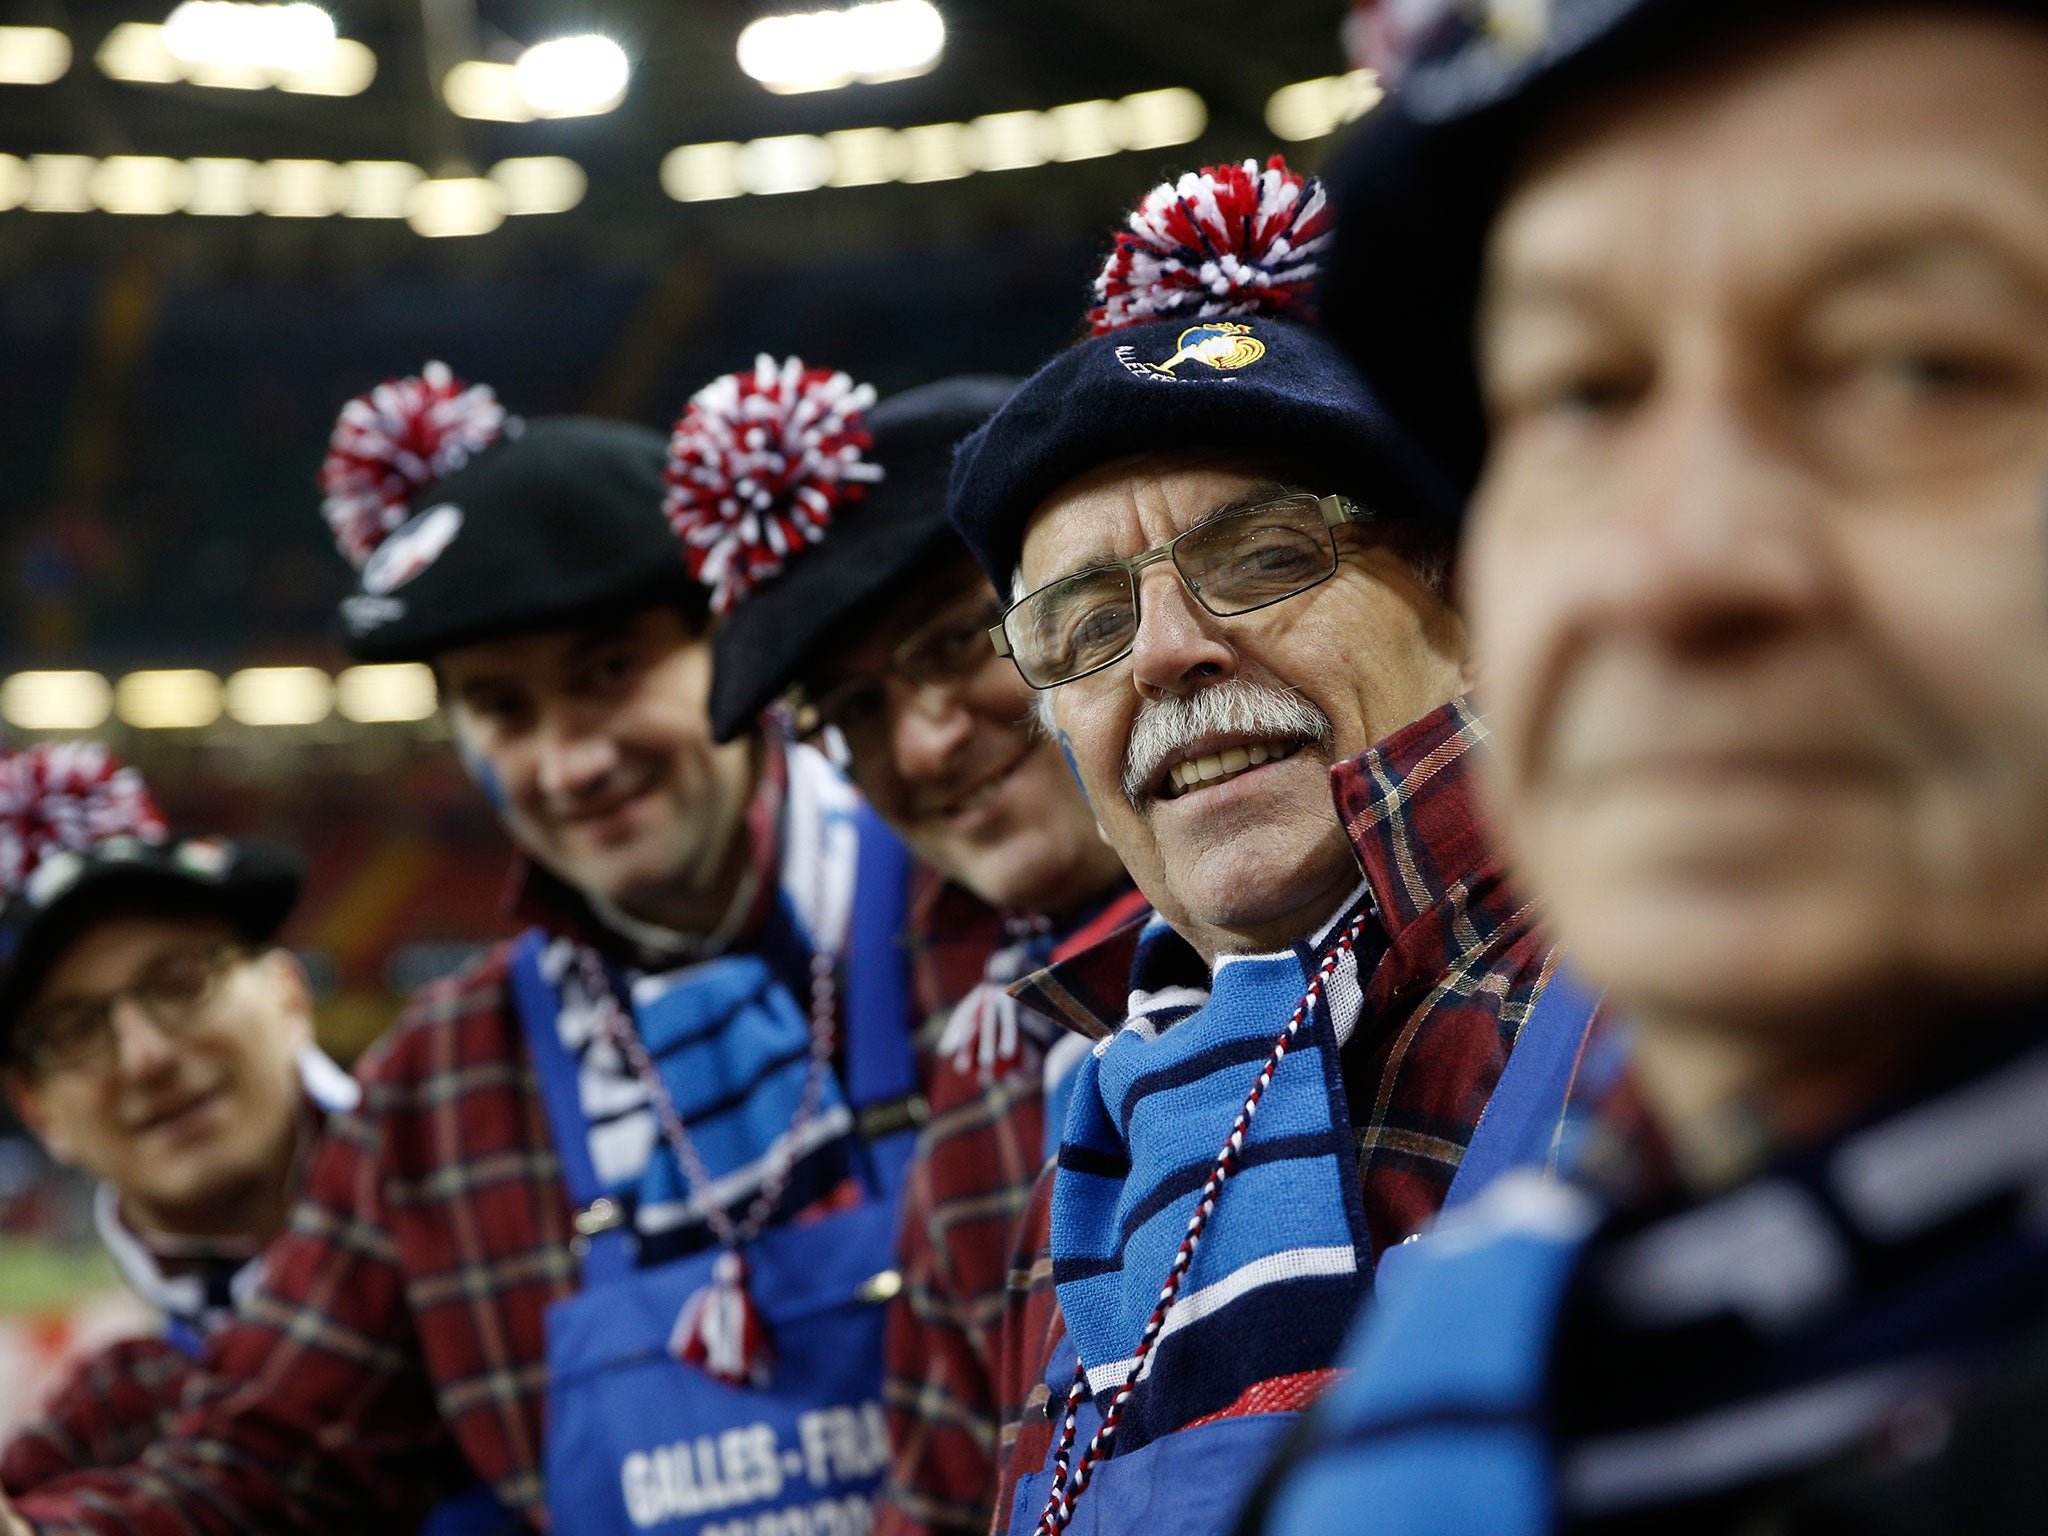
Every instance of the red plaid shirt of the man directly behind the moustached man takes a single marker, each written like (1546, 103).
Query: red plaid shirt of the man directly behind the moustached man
(974, 1175)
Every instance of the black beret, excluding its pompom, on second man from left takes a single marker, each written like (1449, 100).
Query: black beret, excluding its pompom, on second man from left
(540, 529)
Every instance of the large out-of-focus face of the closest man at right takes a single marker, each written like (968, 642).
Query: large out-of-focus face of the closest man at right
(1760, 560)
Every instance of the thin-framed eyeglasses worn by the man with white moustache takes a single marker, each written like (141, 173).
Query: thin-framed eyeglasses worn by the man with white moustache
(1234, 564)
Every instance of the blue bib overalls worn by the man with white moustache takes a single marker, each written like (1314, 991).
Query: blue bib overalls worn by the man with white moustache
(1191, 1482)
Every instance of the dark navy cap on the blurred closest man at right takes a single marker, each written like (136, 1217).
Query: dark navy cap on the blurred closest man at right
(1420, 183)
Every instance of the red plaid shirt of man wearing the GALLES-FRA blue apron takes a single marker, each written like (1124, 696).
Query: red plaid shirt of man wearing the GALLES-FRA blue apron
(396, 1351)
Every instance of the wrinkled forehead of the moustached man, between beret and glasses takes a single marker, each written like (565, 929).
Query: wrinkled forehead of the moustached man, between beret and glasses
(1136, 505)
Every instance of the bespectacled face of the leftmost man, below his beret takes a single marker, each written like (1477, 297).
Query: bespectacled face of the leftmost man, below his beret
(183, 1086)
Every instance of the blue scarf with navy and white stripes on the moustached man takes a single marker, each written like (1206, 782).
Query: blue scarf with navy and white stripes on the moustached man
(1283, 1263)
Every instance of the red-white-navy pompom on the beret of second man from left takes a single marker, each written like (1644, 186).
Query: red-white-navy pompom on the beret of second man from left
(394, 443)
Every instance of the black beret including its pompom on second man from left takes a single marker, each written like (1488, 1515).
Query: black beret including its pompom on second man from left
(497, 531)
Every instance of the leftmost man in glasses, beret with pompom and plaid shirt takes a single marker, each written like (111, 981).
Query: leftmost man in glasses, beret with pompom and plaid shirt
(159, 1037)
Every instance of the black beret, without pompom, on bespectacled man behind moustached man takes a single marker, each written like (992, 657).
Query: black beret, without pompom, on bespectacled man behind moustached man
(871, 550)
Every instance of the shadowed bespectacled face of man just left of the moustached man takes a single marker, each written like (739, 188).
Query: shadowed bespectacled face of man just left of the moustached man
(955, 763)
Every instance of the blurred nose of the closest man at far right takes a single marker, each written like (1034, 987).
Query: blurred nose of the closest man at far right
(1721, 542)
